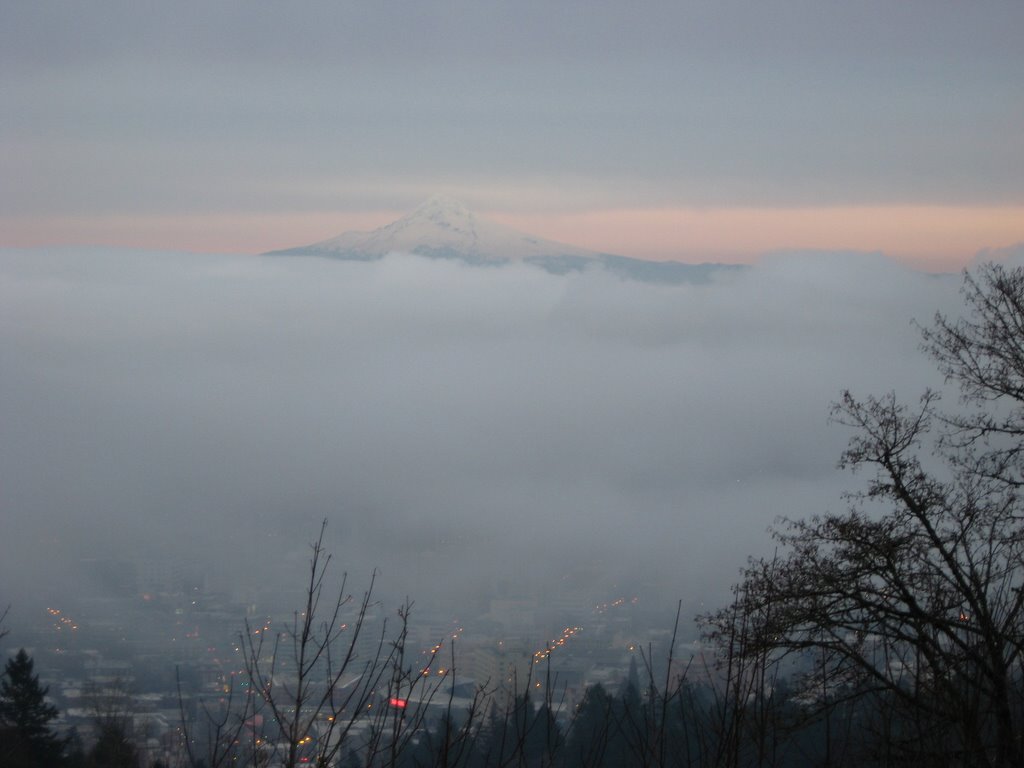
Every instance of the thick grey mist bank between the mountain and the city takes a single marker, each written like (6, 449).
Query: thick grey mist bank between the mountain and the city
(466, 432)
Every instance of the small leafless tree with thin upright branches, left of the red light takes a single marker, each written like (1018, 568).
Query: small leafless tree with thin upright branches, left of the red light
(323, 688)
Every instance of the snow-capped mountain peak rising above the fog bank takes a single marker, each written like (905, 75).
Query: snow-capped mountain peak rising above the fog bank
(445, 229)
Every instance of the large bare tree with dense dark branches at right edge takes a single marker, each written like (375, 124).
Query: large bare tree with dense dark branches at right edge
(915, 596)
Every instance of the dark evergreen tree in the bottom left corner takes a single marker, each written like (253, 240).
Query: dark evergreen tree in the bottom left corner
(26, 738)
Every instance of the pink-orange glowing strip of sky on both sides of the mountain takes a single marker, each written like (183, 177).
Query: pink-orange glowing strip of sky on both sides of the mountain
(927, 237)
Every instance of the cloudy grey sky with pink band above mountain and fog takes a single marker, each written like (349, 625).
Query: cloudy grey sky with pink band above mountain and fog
(689, 131)
